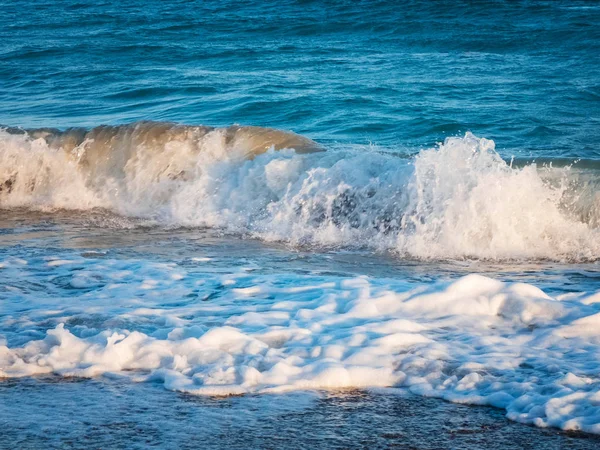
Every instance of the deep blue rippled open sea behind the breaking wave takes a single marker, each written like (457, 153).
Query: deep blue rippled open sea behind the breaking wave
(400, 75)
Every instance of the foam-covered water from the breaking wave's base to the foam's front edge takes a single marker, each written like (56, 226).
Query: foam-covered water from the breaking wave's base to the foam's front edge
(206, 313)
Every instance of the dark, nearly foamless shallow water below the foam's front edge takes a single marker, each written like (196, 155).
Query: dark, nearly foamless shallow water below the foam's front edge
(338, 419)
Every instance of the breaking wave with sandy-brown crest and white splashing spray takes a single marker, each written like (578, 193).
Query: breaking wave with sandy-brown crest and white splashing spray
(458, 200)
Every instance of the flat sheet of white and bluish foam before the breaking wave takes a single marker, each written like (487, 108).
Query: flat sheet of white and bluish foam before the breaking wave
(475, 340)
